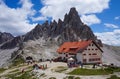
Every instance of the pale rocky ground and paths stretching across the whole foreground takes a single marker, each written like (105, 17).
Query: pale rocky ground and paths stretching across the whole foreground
(51, 71)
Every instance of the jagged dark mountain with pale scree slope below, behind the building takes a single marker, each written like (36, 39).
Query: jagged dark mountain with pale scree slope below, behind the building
(43, 41)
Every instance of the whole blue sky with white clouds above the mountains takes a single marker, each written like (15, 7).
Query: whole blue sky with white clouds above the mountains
(103, 16)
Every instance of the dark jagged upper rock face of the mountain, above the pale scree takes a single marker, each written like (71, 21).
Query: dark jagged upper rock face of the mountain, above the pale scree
(70, 29)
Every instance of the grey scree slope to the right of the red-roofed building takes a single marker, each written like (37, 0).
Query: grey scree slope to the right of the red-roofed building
(111, 54)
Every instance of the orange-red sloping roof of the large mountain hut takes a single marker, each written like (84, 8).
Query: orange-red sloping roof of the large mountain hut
(73, 47)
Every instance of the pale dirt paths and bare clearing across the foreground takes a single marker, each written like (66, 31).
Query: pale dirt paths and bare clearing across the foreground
(49, 72)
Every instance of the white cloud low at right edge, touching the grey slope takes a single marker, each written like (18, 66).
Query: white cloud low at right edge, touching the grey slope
(110, 38)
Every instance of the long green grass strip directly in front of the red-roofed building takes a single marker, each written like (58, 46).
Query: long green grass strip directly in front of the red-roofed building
(80, 71)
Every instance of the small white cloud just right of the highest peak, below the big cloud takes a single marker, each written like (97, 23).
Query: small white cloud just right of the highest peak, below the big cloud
(90, 19)
